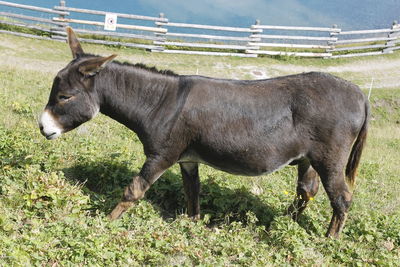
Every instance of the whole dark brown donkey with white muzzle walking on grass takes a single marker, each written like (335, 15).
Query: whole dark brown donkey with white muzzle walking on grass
(313, 120)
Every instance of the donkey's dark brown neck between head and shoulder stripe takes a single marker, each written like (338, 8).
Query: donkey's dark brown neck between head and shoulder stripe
(138, 98)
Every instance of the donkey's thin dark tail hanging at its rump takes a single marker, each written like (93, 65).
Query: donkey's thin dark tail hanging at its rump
(356, 151)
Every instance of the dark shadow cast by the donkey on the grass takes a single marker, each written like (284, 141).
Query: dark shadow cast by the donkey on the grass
(105, 181)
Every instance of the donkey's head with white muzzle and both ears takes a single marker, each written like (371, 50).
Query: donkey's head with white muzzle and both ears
(73, 99)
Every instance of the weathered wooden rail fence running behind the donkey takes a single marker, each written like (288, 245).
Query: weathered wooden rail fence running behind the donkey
(158, 34)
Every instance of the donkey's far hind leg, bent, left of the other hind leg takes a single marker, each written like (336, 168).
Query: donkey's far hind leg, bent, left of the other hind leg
(307, 188)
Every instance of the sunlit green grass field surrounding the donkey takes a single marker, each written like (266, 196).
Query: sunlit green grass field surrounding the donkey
(55, 195)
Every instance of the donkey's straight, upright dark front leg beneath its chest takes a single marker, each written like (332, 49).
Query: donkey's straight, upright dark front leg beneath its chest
(191, 184)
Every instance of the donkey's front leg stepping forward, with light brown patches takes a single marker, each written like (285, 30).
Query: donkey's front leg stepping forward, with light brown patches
(150, 172)
